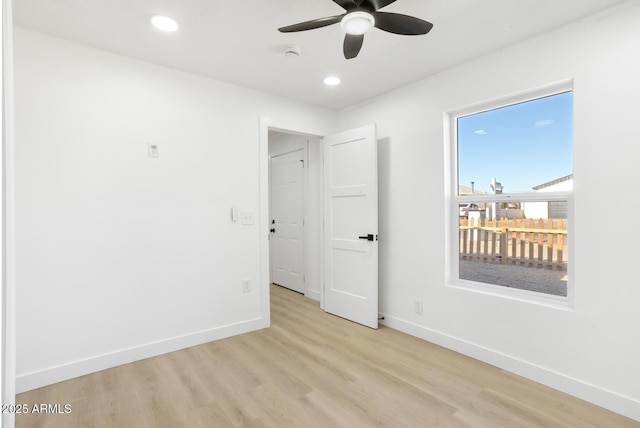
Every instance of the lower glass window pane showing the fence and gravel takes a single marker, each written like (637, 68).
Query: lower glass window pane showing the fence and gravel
(514, 250)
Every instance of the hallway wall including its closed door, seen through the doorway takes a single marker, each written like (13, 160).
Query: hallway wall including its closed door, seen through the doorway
(295, 212)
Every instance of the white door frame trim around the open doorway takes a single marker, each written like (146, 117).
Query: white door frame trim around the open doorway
(288, 126)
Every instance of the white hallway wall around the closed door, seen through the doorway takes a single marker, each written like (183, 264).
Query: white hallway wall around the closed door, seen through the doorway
(281, 143)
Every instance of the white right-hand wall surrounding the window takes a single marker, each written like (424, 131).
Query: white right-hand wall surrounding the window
(592, 351)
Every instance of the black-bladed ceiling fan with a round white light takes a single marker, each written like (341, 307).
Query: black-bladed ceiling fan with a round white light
(360, 17)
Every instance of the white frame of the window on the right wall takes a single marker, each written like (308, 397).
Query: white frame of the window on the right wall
(452, 199)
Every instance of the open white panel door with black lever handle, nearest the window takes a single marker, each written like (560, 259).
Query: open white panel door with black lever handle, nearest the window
(351, 225)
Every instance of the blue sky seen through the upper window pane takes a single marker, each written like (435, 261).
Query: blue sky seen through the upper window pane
(522, 145)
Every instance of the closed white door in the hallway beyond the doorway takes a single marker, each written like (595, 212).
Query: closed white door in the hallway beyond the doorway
(287, 229)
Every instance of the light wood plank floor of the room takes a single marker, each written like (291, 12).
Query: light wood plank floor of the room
(311, 369)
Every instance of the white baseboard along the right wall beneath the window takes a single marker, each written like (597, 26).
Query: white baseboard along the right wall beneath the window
(607, 399)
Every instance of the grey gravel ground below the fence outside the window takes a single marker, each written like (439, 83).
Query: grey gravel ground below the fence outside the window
(525, 278)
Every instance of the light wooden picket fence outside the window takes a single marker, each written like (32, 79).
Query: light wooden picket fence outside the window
(523, 242)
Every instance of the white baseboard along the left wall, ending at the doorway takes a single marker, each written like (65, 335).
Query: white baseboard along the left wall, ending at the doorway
(38, 379)
